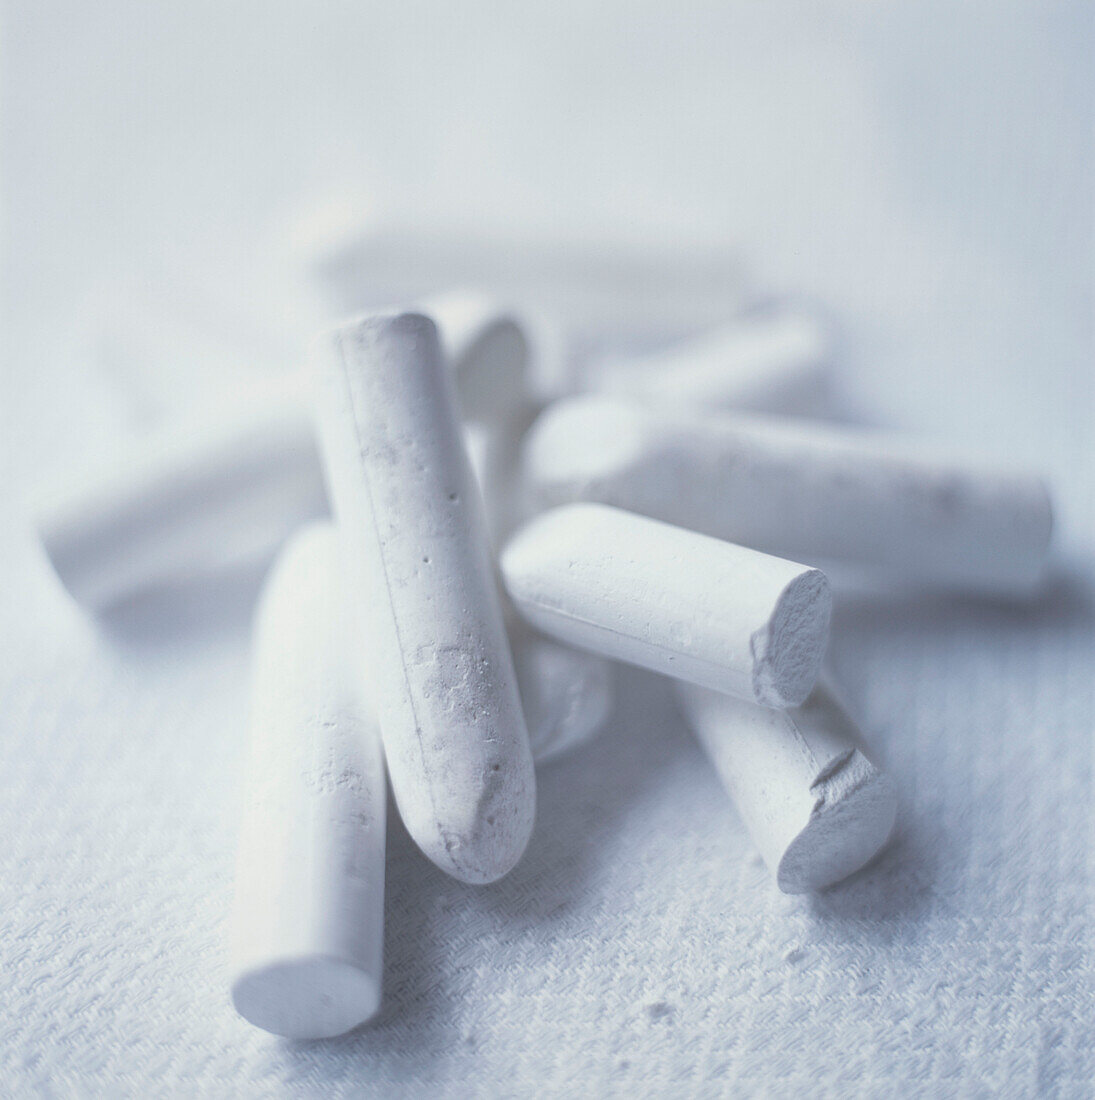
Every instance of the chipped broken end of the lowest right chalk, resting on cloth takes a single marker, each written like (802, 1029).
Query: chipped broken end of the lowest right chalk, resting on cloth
(841, 837)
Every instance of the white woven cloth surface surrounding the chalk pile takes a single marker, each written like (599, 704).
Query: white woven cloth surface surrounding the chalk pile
(926, 174)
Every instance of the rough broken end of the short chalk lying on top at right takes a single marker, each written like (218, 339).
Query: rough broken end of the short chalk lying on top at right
(790, 648)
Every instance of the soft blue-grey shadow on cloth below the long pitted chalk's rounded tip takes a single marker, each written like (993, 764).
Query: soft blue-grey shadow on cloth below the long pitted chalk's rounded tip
(432, 920)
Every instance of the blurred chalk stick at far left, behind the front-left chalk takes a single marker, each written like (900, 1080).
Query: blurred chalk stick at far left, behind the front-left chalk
(192, 503)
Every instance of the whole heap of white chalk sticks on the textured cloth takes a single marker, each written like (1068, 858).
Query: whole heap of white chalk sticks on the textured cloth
(466, 557)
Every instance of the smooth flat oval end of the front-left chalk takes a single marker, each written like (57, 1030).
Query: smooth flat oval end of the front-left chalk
(314, 997)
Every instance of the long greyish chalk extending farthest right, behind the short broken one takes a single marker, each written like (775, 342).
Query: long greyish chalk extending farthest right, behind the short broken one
(800, 490)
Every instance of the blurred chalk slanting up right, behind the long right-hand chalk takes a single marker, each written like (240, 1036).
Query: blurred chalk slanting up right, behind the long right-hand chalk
(771, 362)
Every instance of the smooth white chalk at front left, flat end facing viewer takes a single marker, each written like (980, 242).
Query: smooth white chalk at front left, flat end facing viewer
(308, 922)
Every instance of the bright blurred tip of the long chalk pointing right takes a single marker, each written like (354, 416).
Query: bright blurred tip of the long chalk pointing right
(581, 441)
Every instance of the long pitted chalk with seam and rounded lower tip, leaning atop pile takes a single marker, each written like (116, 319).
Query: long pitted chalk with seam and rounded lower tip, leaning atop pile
(417, 551)
